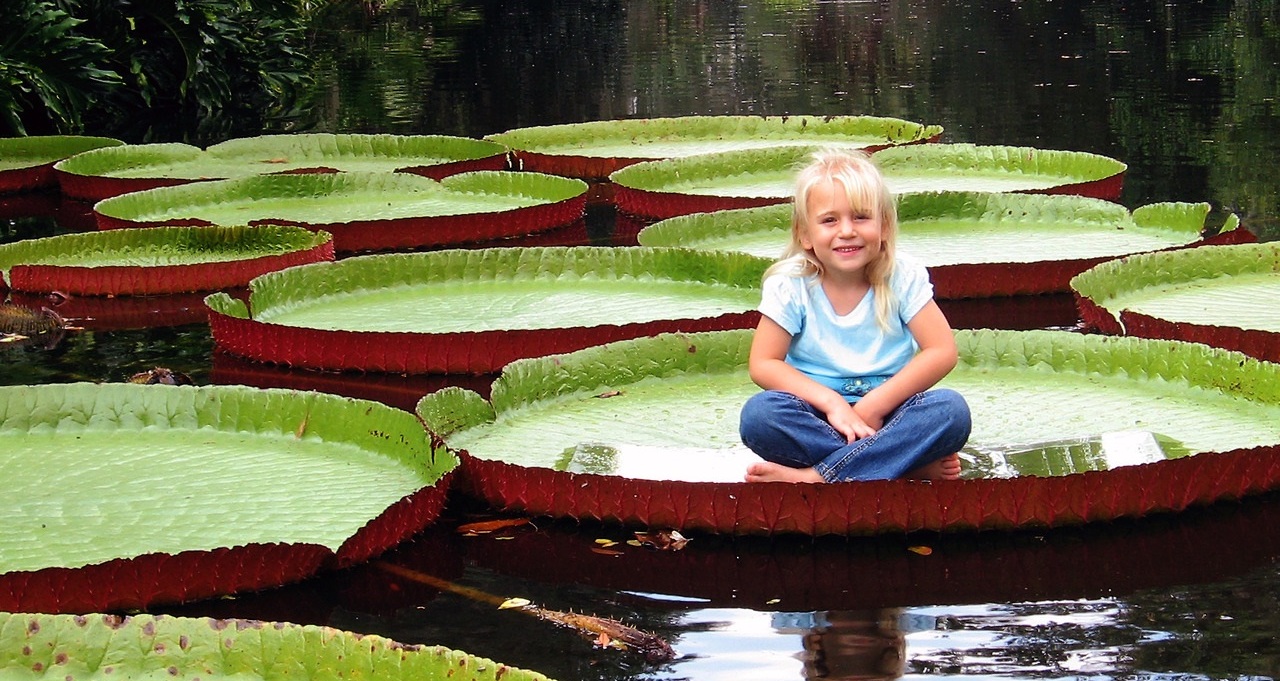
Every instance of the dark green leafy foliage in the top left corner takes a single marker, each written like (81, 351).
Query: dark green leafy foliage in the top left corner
(203, 66)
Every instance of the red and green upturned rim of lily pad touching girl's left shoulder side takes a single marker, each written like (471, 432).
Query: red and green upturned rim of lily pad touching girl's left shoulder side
(239, 330)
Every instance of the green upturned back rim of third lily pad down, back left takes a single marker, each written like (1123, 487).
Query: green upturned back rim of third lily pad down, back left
(395, 186)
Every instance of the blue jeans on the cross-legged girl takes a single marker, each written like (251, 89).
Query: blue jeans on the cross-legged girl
(785, 429)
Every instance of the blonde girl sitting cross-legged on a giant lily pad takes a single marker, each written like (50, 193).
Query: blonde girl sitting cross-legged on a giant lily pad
(851, 344)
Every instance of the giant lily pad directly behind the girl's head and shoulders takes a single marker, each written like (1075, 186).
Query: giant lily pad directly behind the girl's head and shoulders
(976, 244)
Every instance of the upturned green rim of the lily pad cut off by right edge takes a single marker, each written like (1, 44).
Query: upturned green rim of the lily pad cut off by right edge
(1105, 282)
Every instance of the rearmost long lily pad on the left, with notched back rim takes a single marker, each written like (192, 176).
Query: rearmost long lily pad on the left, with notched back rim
(131, 168)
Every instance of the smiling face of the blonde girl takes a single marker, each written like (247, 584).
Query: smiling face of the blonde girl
(843, 239)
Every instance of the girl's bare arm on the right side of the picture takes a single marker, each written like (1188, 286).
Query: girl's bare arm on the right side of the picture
(935, 360)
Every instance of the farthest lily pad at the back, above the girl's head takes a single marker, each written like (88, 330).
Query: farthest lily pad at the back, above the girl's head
(597, 149)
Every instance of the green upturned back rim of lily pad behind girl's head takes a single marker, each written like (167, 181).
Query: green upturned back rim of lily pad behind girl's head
(1041, 211)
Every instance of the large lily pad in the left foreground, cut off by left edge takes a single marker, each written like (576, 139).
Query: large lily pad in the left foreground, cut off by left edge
(121, 496)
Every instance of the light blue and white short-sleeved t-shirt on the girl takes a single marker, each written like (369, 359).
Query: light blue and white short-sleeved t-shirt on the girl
(849, 354)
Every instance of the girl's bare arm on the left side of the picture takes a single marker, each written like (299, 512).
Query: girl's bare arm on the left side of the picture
(770, 371)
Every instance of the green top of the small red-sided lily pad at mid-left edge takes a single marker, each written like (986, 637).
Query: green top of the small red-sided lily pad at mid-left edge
(267, 240)
